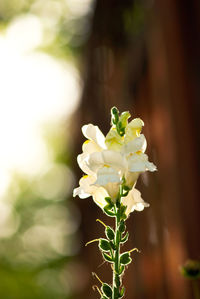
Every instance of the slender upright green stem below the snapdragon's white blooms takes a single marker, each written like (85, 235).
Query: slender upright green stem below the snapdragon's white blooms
(116, 276)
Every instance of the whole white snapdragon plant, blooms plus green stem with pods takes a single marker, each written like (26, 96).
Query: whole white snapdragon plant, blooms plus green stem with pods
(111, 166)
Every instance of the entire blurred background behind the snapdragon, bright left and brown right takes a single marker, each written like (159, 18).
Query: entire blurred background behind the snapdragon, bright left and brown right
(65, 63)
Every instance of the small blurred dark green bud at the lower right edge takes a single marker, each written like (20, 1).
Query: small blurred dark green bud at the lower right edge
(191, 269)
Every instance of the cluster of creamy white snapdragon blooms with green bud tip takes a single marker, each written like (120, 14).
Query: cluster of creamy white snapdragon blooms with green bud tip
(113, 161)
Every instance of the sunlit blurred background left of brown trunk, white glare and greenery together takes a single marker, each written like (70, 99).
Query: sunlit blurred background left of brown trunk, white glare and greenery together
(40, 43)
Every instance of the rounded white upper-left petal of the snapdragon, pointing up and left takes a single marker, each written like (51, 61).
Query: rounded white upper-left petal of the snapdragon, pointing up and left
(93, 133)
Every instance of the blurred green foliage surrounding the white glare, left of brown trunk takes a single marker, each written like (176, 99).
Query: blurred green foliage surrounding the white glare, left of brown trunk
(38, 239)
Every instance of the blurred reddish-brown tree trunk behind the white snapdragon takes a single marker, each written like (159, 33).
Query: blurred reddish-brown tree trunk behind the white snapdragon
(144, 57)
